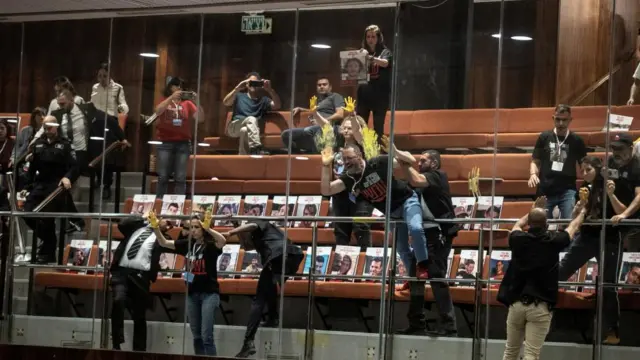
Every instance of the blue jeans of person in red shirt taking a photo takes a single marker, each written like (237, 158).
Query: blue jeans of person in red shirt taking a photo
(172, 158)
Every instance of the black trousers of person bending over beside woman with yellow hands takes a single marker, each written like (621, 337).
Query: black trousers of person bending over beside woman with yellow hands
(266, 294)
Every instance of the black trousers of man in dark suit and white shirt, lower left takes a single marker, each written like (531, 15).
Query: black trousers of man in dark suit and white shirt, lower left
(134, 296)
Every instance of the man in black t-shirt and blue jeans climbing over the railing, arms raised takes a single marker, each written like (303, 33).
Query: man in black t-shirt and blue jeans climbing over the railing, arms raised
(367, 180)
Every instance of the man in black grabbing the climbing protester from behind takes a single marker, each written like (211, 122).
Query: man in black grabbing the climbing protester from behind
(433, 185)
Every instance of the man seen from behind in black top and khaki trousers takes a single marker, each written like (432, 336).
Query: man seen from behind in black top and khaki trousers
(530, 287)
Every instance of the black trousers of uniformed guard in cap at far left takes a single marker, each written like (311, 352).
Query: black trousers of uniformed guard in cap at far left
(45, 228)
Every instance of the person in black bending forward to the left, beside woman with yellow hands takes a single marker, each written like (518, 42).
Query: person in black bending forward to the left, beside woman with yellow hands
(270, 243)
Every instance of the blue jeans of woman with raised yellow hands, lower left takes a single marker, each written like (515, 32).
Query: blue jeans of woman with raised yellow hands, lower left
(201, 309)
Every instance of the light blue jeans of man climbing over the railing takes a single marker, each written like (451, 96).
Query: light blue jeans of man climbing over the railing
(411, 213)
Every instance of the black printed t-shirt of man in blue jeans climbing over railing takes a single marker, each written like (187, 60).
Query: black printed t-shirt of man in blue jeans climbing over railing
(371, 185)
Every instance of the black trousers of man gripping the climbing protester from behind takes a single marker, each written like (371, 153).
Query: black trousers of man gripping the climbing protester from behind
(437, 268)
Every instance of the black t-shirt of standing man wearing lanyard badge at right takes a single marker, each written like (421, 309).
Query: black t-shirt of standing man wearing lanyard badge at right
(558, 158)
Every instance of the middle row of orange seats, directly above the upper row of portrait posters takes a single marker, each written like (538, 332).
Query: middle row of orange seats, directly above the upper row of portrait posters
(257, 175)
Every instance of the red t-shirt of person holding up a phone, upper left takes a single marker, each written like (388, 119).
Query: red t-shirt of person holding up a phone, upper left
(174, 124)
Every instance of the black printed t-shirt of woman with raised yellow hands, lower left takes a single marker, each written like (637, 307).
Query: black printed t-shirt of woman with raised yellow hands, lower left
(202, 264)
